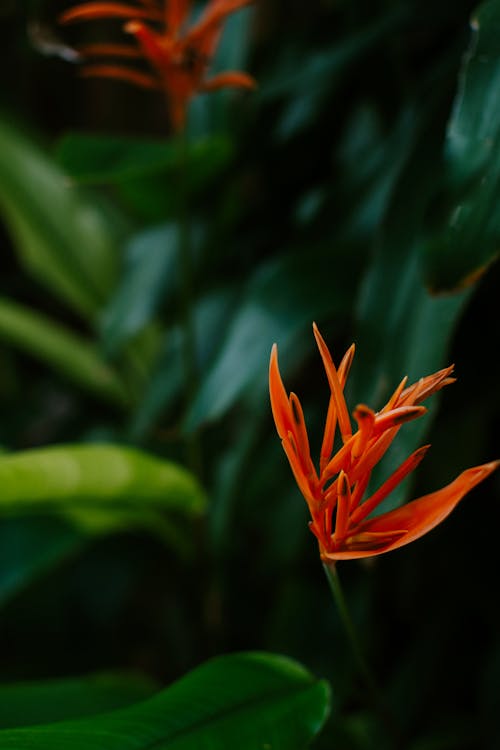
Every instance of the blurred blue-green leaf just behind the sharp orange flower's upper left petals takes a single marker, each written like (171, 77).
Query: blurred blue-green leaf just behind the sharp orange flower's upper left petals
(284, 296)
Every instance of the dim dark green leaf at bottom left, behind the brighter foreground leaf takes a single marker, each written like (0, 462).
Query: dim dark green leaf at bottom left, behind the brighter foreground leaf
(26, 703)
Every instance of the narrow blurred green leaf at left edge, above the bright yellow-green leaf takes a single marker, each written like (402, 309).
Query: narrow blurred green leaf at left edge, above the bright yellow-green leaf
(69, 354)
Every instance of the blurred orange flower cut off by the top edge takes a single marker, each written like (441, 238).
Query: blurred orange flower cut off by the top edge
(178, 57)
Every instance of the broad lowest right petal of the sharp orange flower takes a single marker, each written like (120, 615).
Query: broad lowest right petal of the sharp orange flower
(422, 515)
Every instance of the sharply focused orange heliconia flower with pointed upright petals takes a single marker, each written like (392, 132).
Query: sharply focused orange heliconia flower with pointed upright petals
(335, 494)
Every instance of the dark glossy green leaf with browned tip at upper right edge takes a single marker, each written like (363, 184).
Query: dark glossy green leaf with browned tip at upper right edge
(471, 238)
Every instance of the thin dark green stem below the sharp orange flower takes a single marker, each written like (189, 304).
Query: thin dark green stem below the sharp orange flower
(357, 651)
